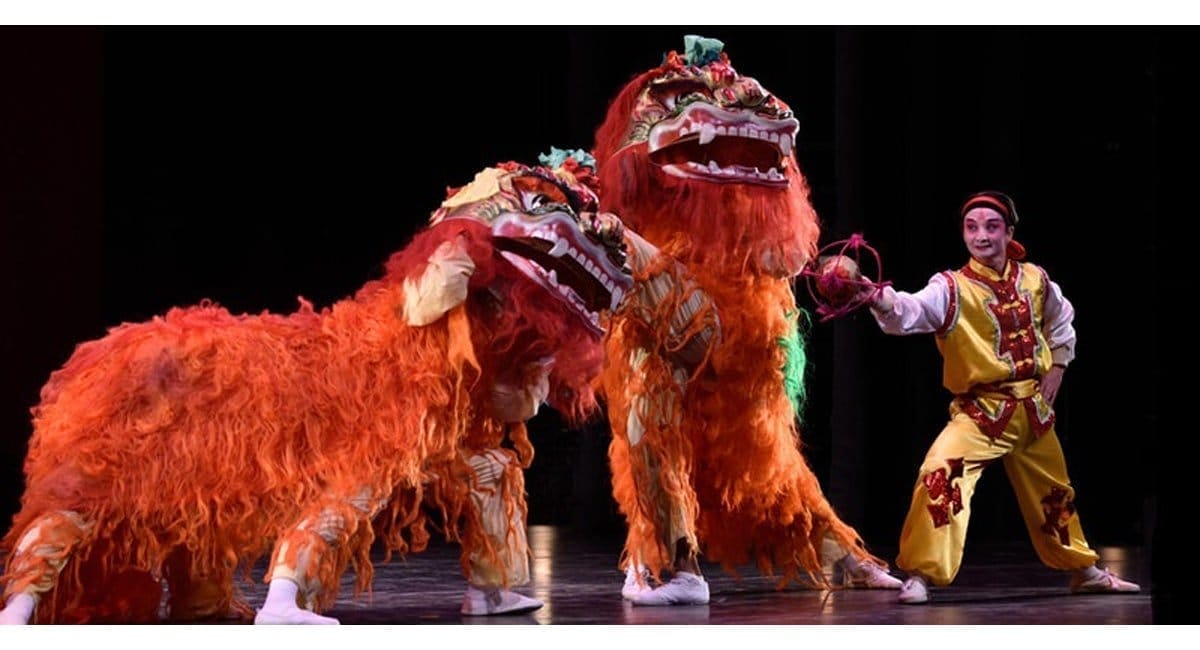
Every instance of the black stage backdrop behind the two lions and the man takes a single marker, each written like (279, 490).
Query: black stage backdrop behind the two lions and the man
(145, 168)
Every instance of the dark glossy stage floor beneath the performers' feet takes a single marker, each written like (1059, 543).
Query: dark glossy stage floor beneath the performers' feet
(578, 580)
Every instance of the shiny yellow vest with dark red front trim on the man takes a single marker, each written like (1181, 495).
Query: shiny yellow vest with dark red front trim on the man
(993, 327)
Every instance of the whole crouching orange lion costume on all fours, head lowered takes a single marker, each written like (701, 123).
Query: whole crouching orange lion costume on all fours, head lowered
(177, 452)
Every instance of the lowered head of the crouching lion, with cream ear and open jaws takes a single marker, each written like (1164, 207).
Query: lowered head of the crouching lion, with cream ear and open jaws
(537, 264)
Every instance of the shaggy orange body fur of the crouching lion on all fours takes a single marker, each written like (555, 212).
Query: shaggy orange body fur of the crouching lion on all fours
(183, 448)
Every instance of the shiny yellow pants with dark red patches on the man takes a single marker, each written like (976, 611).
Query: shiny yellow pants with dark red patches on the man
(937, 526)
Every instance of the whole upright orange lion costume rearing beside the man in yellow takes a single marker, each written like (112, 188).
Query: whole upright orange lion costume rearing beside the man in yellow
(700, 161)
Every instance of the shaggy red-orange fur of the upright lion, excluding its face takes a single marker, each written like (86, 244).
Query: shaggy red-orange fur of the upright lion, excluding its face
(719, 462)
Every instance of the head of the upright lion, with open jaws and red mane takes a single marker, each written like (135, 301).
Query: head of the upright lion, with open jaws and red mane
(701, 161)
